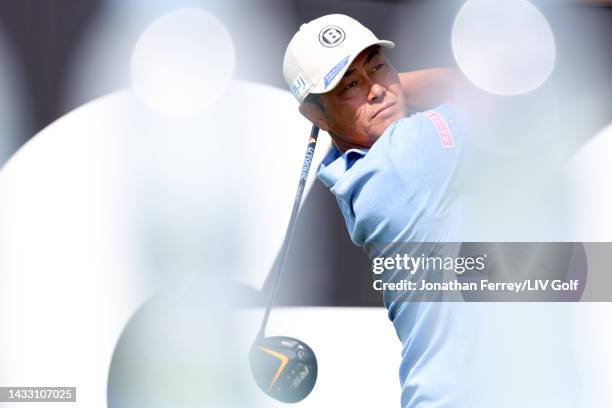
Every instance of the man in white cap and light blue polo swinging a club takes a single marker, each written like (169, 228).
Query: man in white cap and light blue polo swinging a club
(391, 170)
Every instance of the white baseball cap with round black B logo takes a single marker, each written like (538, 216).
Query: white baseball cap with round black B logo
(319, 54)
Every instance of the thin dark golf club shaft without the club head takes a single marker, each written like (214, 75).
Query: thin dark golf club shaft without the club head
(312, 141)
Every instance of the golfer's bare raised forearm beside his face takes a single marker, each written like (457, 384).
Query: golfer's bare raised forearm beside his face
(427, 88)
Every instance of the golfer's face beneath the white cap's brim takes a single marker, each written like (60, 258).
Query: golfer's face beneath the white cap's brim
(365, 102)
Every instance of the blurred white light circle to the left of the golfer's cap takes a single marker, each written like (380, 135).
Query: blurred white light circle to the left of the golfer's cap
(183, 62)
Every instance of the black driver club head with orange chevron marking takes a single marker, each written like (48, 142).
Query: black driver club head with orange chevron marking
(283, 367)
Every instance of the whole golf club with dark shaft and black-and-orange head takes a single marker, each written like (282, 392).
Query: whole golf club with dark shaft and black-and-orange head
(285, 368)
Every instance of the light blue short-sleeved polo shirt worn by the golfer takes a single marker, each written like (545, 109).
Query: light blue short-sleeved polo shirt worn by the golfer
(402, 190)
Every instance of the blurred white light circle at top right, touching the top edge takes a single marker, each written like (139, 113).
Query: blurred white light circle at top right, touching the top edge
(503, 47)
